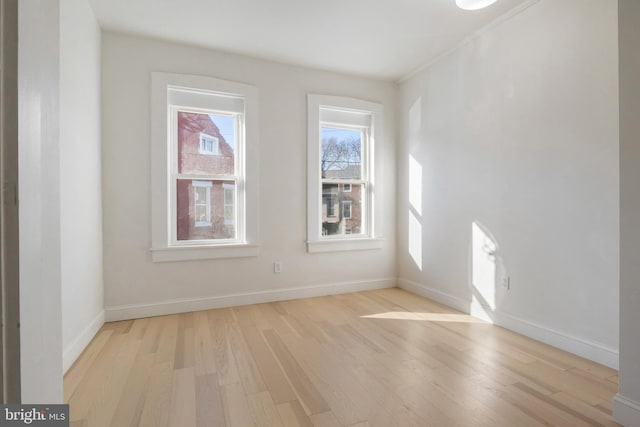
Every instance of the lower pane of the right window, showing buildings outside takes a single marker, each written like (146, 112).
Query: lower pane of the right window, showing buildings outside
(342, 211)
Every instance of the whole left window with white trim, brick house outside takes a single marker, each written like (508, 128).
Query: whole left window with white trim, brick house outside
(204, 163)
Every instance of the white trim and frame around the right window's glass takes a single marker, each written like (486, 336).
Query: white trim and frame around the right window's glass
(372, 117)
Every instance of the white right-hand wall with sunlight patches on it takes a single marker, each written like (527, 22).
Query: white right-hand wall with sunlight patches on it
(517, 132)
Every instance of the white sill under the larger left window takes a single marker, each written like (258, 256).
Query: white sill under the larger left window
(190, 253)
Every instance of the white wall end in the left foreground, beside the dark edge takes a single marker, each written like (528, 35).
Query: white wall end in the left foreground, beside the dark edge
(39, 195)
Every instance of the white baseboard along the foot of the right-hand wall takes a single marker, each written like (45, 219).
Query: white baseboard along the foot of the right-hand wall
(582, 347)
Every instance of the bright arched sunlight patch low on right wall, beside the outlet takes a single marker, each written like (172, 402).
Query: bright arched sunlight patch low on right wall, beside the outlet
(483, 272)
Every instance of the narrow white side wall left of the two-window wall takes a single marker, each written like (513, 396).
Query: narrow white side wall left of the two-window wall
(80, 178)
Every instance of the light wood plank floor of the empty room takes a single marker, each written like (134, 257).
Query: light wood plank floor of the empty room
(379, 358)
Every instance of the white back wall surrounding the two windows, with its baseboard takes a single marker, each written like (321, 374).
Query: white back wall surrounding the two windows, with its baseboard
(133, 284)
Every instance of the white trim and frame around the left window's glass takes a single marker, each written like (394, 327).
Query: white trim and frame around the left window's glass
(162, 248)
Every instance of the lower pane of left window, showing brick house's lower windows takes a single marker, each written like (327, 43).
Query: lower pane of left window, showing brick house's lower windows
(205, 209)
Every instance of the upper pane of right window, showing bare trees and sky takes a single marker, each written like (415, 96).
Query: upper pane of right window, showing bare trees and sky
(341, 153)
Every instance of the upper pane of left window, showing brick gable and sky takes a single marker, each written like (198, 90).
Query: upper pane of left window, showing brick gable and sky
(206, 144)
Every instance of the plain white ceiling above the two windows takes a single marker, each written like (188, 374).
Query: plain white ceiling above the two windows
(385, 39)
